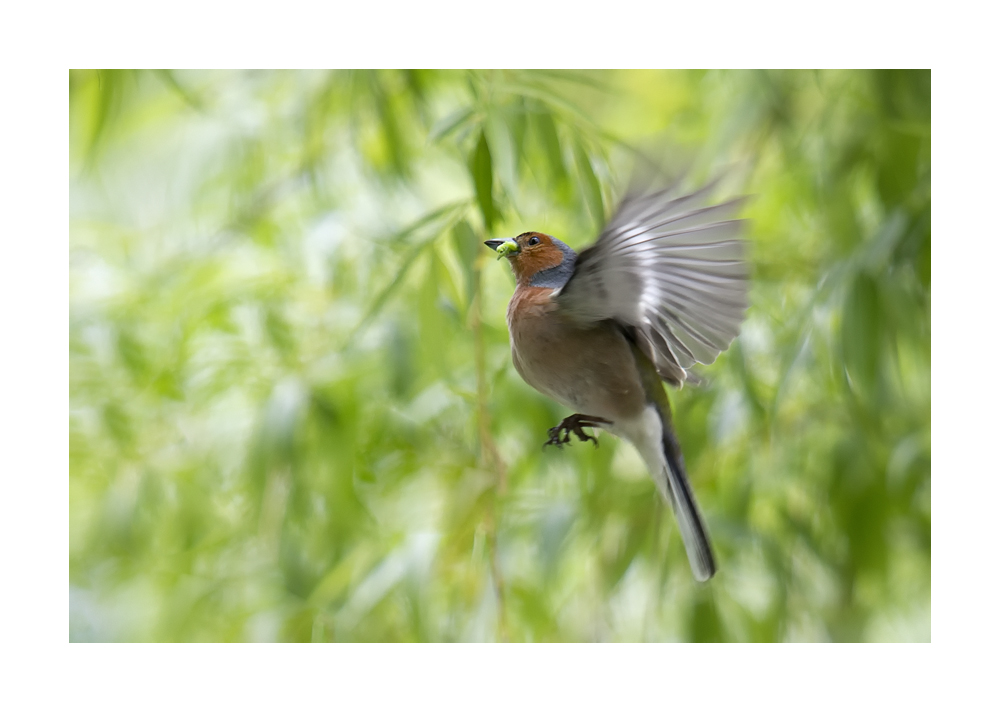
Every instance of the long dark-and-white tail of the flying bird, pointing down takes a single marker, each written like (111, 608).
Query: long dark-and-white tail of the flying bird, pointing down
(677, 491)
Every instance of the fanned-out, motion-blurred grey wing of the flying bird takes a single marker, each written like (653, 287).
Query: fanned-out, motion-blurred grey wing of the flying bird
(672, 271)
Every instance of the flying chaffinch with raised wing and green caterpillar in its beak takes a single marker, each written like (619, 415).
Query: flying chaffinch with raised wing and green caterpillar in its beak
(664, 286)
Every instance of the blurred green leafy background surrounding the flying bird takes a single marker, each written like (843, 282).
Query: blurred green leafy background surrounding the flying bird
(293, 415)
